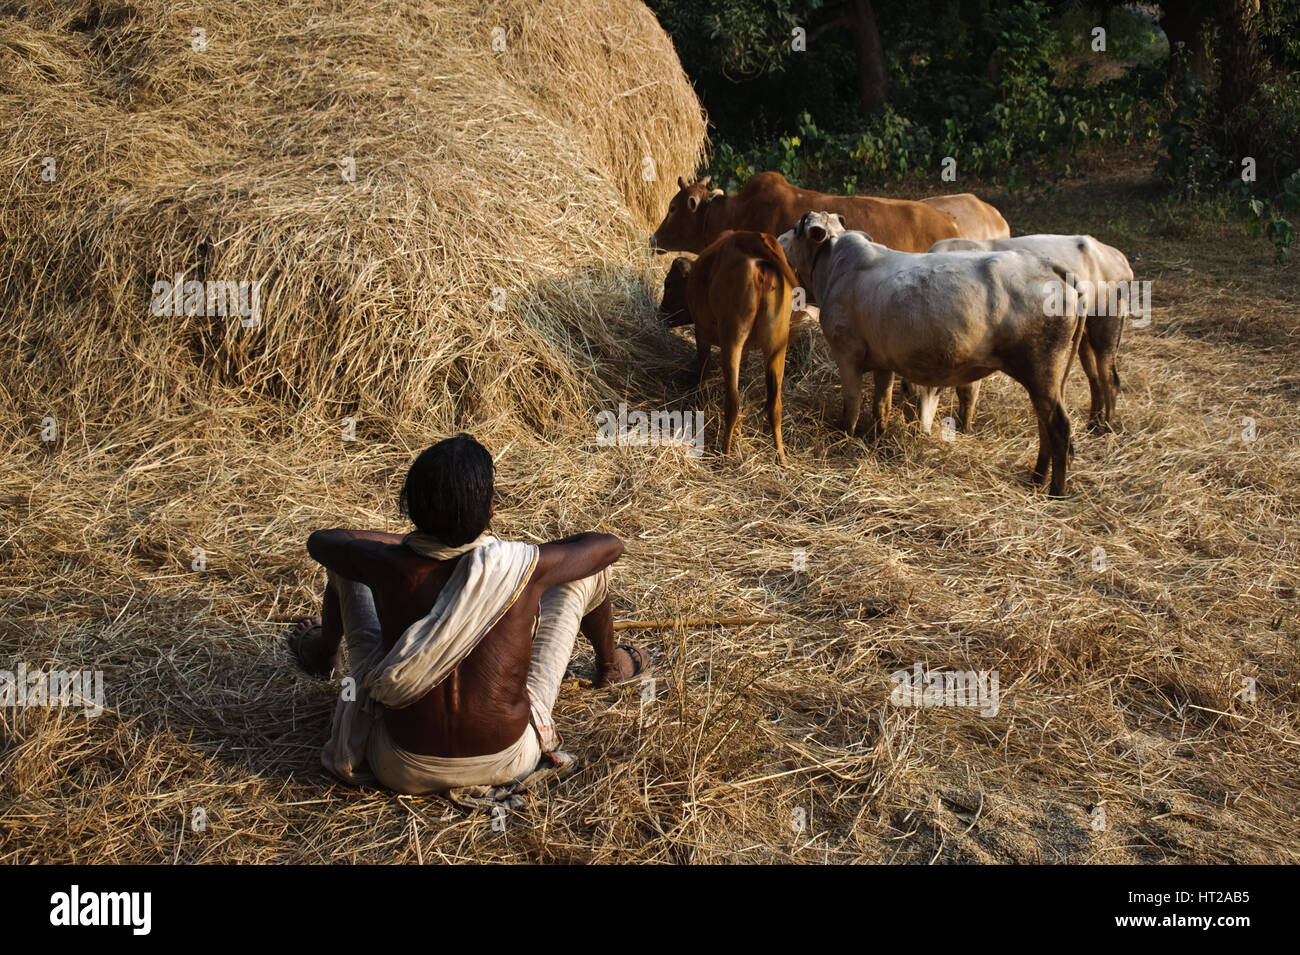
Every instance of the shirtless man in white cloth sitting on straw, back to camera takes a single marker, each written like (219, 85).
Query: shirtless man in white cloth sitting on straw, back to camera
(457, 641)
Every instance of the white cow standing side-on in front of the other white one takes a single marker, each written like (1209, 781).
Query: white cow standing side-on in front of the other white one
(942, 320)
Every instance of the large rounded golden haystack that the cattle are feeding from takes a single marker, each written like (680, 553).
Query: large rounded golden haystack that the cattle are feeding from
(496, 146)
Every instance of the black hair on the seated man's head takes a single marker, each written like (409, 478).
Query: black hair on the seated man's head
(449, 490)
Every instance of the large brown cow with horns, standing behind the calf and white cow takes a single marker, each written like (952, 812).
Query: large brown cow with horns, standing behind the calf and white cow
(768, 203)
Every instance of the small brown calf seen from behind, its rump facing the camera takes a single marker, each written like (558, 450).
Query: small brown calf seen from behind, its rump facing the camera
(739, 297)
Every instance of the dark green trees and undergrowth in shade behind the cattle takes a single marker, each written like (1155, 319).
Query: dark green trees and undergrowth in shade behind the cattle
(1007, 89)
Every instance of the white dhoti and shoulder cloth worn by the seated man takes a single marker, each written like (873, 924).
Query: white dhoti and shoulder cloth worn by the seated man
(479, 593)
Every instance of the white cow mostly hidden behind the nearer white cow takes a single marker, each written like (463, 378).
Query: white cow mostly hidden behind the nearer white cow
(1108, 272)
